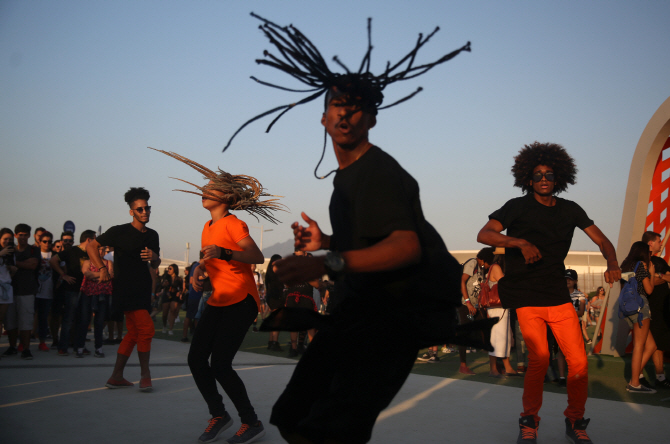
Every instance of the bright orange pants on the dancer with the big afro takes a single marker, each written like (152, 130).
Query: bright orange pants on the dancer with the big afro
(565, 325)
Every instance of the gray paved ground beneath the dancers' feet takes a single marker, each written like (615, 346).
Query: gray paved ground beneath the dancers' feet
(54, 399)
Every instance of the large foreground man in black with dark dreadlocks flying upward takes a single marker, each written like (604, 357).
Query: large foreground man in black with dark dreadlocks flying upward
(383, 256)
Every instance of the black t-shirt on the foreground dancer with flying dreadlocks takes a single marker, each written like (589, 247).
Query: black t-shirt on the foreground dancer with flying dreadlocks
(373, 197)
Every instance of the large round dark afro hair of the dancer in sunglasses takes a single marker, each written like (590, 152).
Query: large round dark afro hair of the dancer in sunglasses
(549, 154)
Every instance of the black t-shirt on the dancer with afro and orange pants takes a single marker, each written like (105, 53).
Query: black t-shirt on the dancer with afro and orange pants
(550, 229)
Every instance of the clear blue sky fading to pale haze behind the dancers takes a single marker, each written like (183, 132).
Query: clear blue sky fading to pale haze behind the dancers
(86, 86)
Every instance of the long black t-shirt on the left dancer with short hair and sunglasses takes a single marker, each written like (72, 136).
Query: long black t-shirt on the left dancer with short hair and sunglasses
(131, 287)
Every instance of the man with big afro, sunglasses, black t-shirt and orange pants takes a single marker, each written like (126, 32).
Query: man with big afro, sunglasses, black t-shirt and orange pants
(539, 228)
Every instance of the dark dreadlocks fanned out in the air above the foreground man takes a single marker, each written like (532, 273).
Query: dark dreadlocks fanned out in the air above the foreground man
(299, 58)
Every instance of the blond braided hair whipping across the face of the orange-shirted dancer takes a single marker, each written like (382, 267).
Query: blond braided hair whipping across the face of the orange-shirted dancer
(239, 192)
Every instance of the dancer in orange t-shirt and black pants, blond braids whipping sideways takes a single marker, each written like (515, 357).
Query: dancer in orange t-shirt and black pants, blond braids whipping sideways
(227, 251)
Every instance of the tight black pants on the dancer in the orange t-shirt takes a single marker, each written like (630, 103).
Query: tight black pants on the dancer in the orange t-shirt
(219, 334)
